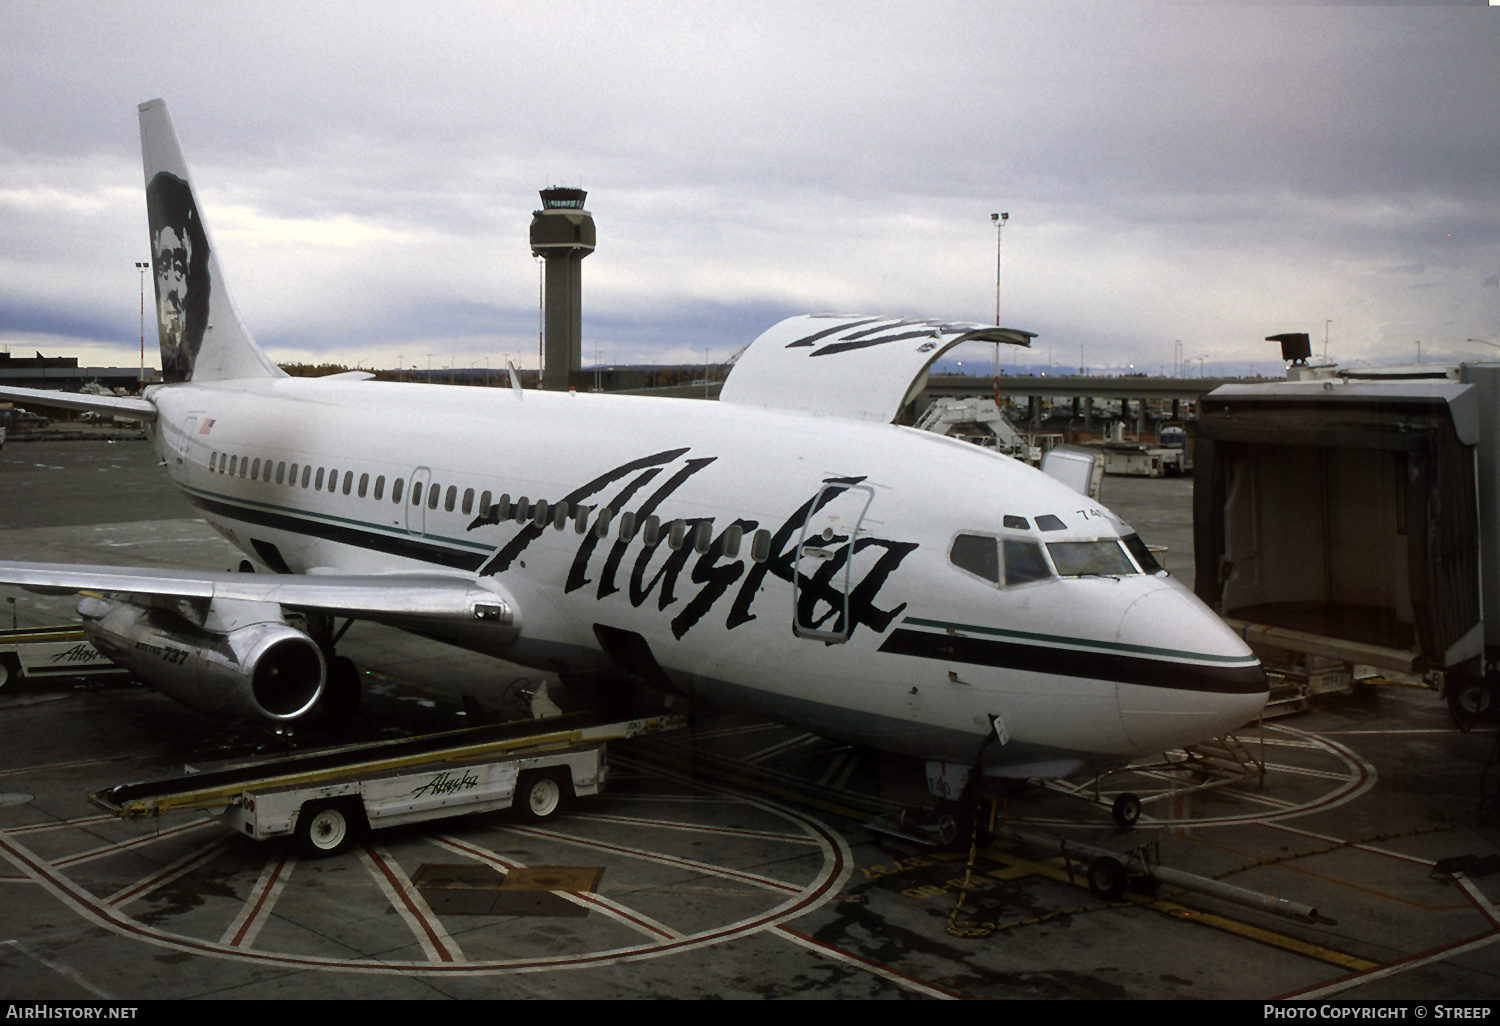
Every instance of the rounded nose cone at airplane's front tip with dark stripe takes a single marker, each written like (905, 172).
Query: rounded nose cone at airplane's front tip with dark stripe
(1198, 682)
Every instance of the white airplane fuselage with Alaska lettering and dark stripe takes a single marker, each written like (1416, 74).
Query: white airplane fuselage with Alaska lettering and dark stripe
(845, 614)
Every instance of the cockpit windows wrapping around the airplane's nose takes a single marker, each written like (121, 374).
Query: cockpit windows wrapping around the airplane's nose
(1018, 562)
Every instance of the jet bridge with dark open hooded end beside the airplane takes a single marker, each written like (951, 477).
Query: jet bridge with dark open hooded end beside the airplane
(1349, 521)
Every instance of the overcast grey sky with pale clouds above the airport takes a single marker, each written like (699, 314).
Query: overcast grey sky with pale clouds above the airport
(1201, 173)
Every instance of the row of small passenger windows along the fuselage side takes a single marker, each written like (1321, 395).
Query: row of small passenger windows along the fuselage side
(541, 512)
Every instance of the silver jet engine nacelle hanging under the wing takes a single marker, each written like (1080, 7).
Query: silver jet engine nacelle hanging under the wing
(265, 670)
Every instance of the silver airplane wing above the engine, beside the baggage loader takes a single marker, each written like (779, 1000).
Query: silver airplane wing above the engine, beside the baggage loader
(404, 596)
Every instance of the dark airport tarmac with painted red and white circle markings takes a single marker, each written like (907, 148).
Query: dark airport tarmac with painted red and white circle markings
(733, 860)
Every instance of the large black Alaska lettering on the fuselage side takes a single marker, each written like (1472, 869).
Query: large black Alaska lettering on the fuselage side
(694, 583)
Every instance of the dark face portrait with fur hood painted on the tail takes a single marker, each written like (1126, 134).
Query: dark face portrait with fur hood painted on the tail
(181, 262)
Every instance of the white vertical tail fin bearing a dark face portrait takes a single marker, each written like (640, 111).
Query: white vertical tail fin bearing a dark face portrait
(202, 334)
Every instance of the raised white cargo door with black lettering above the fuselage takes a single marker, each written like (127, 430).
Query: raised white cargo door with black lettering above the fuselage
(850, 367)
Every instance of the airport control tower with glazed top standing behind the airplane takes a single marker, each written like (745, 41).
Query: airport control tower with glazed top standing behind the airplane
(563, 235)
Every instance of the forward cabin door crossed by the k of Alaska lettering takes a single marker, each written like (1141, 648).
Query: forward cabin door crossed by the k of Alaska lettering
(824, 566)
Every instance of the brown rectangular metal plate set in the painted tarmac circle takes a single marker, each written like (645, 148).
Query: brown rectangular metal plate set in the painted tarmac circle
(482, 890)
